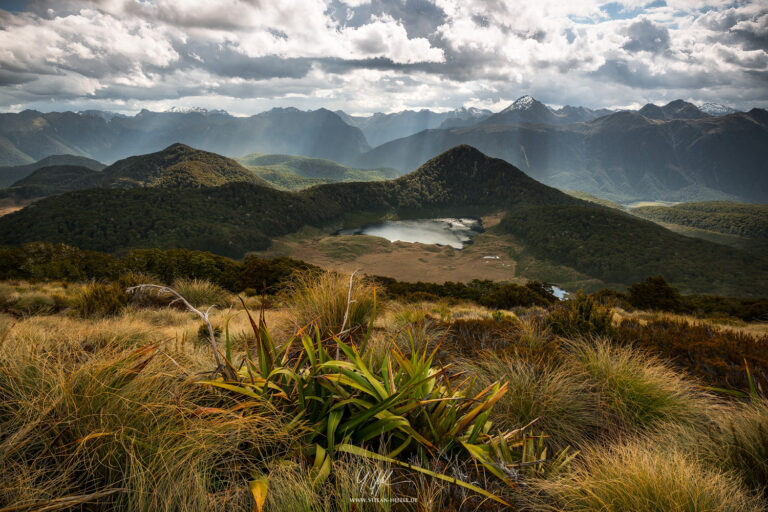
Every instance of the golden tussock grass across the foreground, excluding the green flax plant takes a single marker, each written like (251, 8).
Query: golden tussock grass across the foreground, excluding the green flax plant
(161, 442)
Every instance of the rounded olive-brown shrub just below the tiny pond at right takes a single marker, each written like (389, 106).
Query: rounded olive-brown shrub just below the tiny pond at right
(580, 316)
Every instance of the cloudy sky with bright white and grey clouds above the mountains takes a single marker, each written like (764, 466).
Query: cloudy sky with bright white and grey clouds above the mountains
(365, 56)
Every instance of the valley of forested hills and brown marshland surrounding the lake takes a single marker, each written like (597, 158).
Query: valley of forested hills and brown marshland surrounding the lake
(183, 197)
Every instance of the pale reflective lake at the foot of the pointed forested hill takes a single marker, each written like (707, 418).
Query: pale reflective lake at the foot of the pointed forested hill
(452, 232)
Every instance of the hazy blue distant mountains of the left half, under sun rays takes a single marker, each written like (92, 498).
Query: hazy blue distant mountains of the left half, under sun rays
(34, 135)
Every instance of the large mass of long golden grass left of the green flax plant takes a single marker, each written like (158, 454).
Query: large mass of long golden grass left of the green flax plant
(122, 428)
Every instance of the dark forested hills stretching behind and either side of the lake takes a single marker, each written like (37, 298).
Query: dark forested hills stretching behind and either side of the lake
(232, 219)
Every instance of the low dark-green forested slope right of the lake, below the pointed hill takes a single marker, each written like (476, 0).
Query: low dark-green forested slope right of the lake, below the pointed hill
(619, 248)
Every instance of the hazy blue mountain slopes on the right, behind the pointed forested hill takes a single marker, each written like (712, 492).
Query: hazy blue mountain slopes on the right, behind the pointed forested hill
(622, 156)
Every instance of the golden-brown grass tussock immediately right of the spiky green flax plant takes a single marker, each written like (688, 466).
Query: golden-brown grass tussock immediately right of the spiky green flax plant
(565, 406)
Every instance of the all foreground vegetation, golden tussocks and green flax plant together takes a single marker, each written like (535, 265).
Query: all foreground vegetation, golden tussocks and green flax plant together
(337, 398)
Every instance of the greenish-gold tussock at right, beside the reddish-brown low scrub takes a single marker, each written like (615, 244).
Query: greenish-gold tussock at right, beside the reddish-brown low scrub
(636, 389)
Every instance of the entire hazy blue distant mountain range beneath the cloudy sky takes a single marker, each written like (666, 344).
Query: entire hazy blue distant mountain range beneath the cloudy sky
(673, 152)
